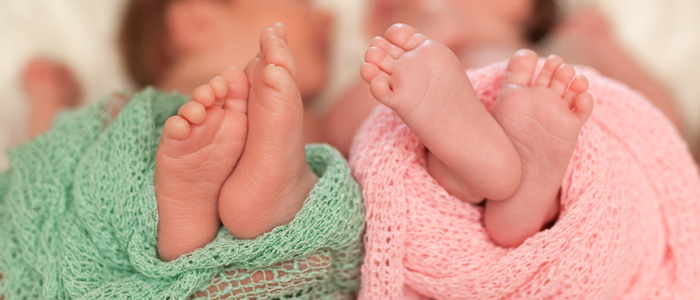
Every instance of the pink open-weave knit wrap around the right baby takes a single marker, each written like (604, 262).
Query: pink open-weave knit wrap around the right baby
(629, 226)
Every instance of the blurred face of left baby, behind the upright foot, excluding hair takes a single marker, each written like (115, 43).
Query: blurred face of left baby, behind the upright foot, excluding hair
(307, 31)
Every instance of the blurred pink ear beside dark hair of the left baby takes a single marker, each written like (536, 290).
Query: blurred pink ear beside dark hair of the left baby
(190, 24)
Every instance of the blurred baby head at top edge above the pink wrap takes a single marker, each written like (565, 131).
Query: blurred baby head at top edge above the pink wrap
(459, 22)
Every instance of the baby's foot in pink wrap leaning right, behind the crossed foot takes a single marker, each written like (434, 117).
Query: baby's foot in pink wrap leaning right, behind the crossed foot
(543, 120)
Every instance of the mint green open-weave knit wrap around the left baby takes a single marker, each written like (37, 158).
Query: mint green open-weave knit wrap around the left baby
(78, 220)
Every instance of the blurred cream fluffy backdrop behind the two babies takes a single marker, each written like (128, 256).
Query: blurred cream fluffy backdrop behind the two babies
(662, 35)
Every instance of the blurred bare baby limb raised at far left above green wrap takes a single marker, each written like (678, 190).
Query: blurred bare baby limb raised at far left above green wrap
(50, 87)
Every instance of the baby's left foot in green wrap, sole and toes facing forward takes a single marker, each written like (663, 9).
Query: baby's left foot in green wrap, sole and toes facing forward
(197, 153)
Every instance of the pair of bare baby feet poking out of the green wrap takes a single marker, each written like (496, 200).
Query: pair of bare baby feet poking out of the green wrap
(234, 154)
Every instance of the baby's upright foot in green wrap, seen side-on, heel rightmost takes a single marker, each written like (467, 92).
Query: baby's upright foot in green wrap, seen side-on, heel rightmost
(272, 180)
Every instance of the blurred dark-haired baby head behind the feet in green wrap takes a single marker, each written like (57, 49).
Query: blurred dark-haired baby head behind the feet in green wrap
(180, 44)
